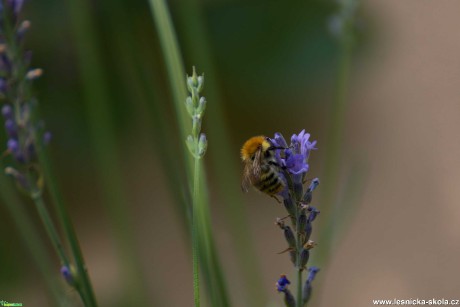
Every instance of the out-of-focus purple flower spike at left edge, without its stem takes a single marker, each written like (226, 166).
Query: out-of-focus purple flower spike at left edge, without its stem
(26, 135)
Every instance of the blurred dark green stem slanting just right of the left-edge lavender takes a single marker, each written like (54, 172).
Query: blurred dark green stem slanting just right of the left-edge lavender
(99, 109)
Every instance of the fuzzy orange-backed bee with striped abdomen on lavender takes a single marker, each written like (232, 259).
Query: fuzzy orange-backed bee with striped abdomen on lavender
(260, 166)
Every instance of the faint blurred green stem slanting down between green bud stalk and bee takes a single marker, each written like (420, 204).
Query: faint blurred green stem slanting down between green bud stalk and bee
(191, 20)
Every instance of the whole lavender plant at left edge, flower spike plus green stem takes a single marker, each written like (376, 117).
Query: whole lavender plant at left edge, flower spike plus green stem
(27, 139)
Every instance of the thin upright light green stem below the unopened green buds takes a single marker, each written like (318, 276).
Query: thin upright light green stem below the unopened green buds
(195, 236)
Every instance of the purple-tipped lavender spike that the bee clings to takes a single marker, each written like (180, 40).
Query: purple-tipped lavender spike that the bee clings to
(293, 162)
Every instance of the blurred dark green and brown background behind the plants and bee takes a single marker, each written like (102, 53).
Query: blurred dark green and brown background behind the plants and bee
(391, 221)
